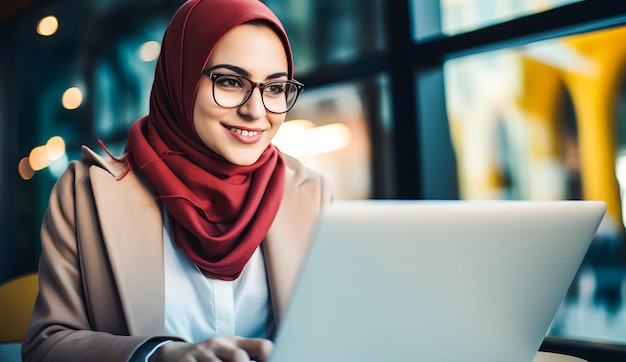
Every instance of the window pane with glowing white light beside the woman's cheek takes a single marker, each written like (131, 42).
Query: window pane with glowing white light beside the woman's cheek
(328, 131)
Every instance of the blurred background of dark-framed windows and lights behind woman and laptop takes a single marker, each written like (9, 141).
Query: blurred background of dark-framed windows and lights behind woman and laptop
(421, 99)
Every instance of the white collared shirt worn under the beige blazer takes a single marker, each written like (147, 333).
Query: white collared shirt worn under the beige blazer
(198, 308)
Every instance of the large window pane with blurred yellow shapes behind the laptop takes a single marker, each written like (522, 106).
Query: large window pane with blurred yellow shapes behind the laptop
(545, 121)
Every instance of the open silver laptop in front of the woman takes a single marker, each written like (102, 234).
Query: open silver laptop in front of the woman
(435, 280)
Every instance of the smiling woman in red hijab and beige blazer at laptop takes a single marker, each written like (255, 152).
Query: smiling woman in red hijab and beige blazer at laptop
(187, 247)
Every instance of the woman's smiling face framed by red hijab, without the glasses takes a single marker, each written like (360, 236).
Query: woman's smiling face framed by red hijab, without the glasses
(241, 134)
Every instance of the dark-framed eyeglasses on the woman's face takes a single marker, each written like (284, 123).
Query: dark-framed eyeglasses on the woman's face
(233, 90)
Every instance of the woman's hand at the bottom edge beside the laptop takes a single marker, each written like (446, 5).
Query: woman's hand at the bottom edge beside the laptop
(223, 349)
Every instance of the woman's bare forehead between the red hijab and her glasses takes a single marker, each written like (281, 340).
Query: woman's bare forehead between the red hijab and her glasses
(255, 48)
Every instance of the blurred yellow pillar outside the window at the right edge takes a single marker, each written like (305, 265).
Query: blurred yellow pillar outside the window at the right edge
(594, 98)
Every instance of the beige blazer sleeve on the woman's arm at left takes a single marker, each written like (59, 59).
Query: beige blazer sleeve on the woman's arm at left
(60, 328)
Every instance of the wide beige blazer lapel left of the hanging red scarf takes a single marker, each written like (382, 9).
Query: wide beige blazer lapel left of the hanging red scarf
(132, 231)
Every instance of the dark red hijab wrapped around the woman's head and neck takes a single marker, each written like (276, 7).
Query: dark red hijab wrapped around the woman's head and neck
(219, 212)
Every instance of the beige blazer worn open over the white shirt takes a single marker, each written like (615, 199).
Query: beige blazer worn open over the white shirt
(101, 269)
